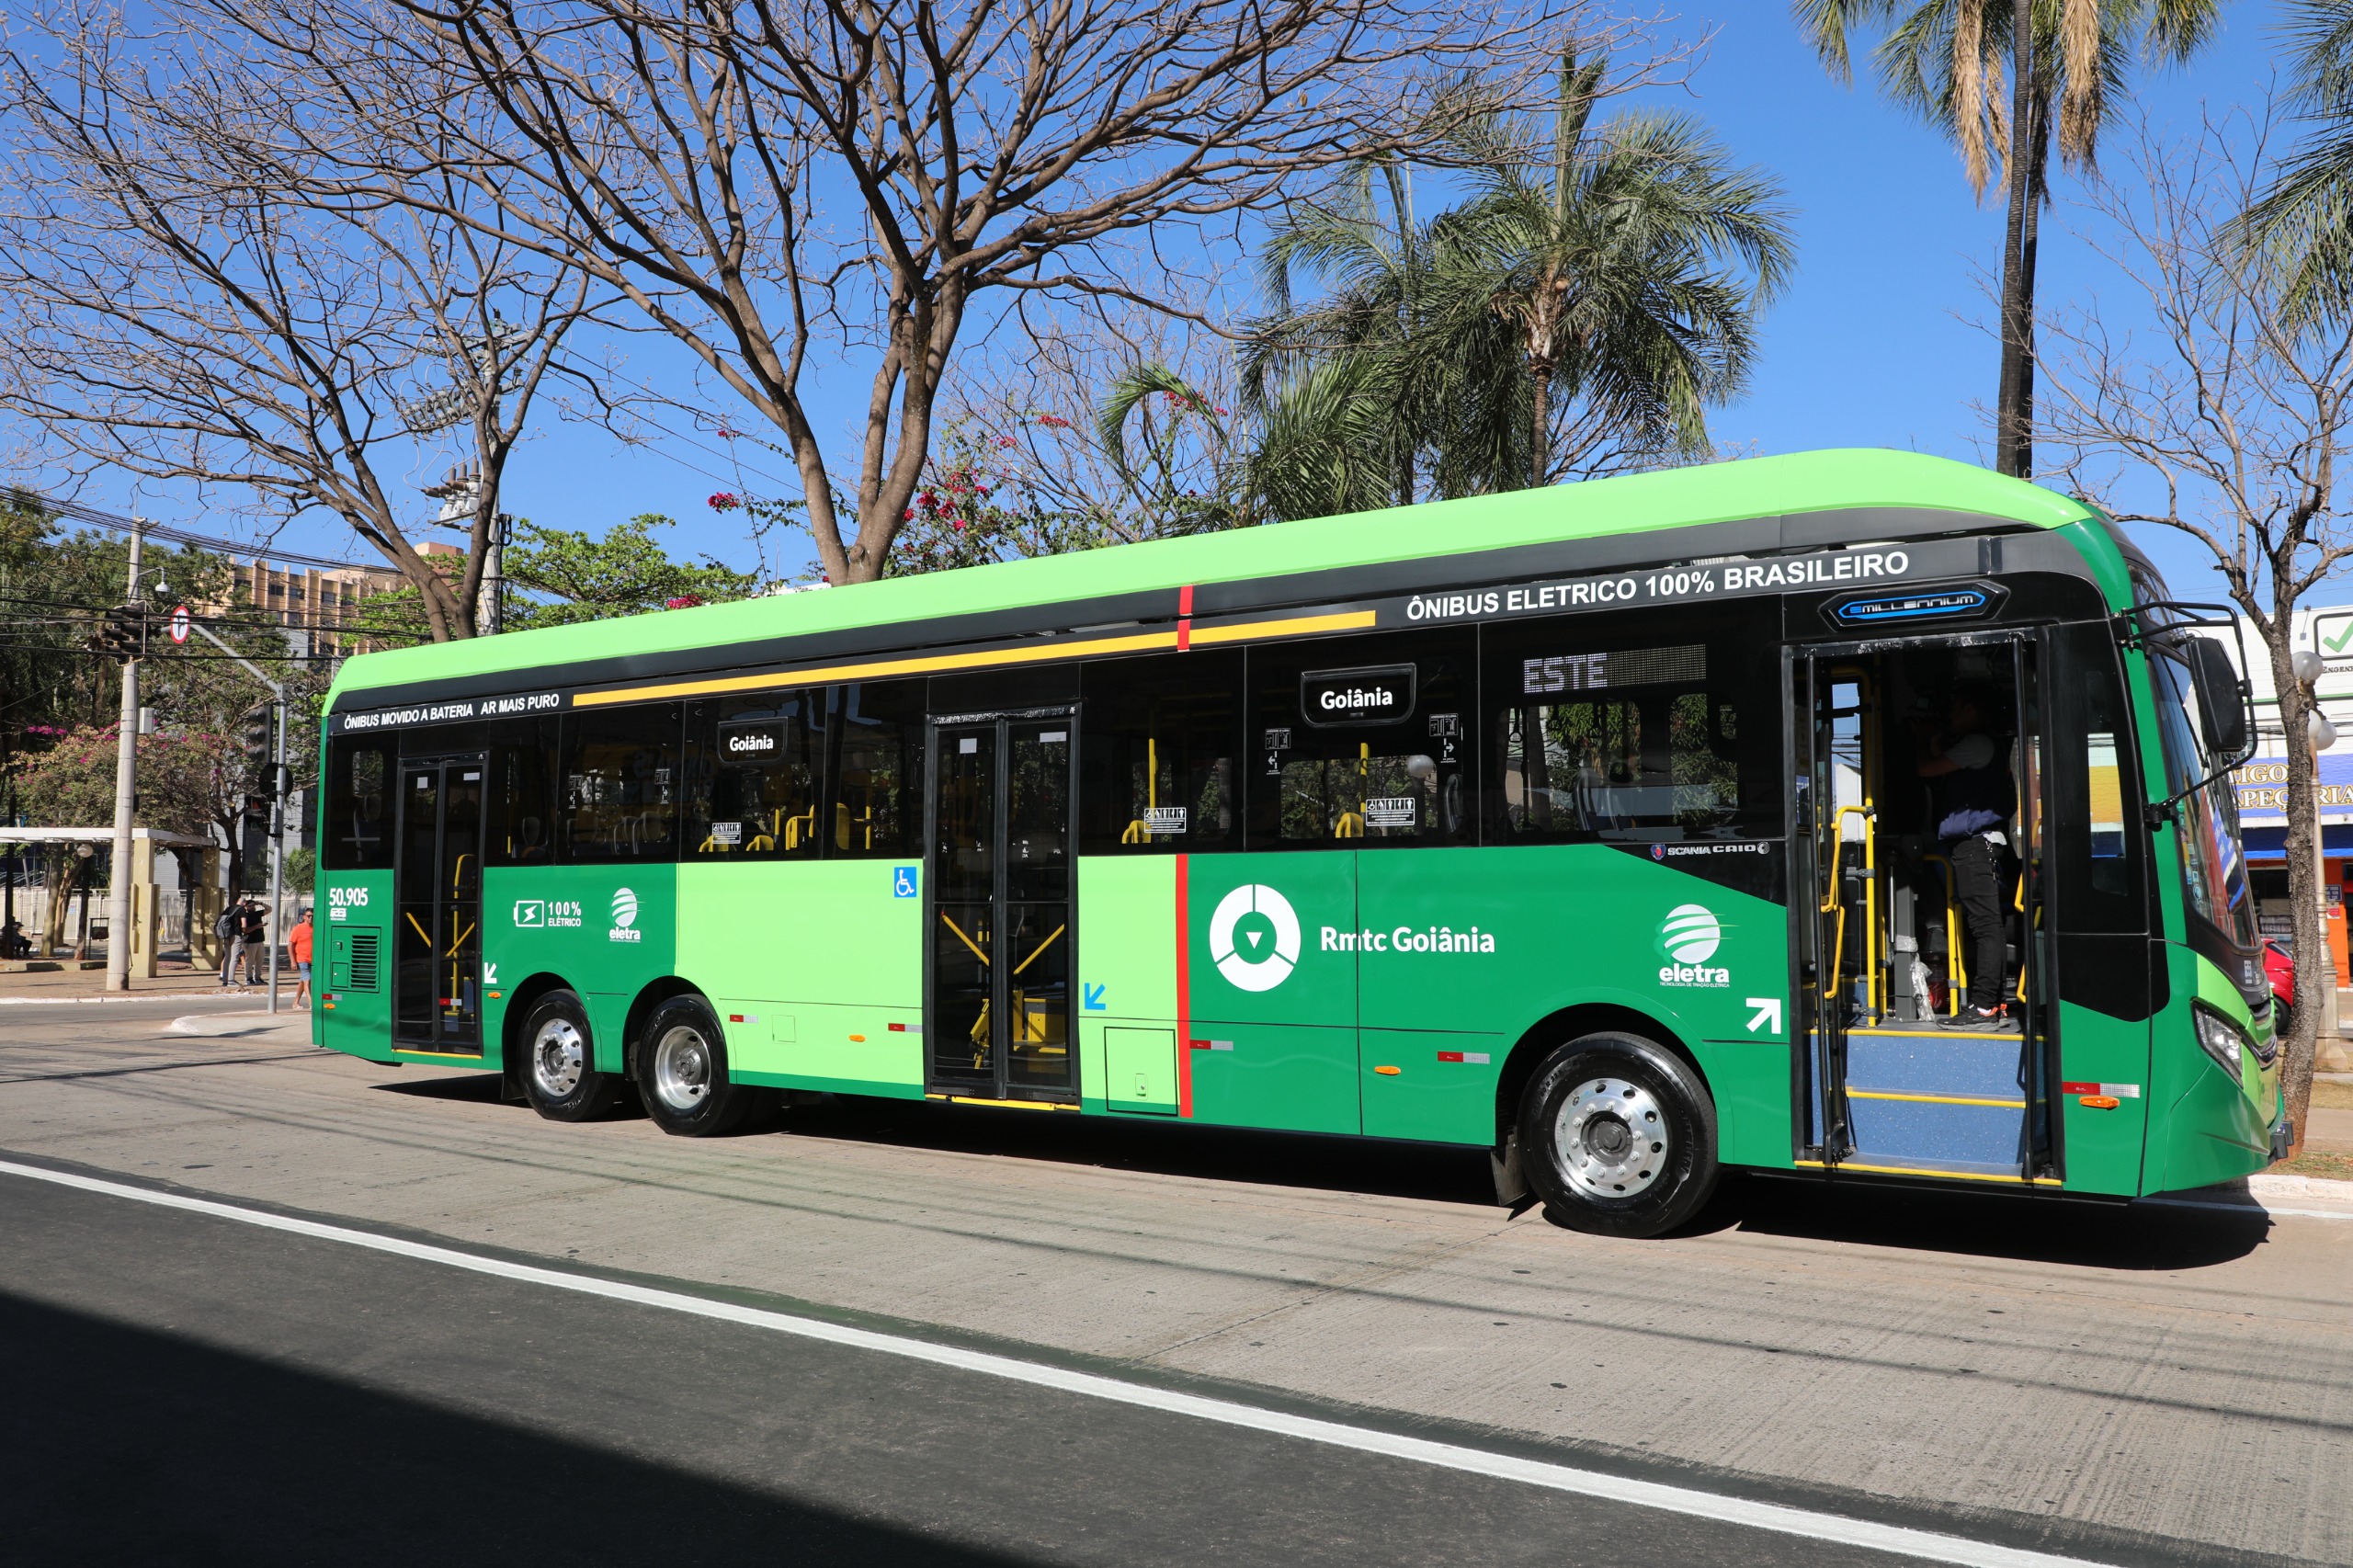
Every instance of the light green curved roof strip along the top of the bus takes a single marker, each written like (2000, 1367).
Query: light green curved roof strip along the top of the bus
(1629, 505)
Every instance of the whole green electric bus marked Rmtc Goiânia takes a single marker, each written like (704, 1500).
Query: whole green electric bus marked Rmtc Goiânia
(1575, 825)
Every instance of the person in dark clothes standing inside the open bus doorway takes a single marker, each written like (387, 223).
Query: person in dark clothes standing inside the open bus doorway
(1975, 797)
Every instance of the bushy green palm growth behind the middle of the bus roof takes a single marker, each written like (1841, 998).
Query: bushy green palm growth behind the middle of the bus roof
(1575, 312)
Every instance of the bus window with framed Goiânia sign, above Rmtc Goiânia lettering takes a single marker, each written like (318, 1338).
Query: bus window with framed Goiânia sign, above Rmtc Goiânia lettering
(1364, 743)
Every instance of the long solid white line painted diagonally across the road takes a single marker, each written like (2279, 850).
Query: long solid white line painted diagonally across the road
(1898, 1541)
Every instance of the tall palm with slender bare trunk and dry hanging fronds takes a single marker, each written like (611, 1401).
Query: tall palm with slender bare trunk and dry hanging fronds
(2067, 62)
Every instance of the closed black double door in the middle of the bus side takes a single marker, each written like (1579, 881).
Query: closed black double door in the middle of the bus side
(999, 1018)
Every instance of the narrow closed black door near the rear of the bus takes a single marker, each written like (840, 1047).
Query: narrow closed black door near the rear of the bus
(439, 908)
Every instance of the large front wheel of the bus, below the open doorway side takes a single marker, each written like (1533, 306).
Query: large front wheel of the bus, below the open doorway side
(1618, 1136)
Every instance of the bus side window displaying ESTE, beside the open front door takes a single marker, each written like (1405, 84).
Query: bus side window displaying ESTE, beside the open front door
(1620, 729)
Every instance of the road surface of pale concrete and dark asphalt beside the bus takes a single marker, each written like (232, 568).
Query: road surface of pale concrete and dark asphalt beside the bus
(2117, 1386)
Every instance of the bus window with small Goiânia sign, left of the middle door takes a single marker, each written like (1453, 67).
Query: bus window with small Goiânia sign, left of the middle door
(752, 778)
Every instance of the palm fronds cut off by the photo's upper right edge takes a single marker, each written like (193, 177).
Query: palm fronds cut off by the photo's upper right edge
(2305, 220)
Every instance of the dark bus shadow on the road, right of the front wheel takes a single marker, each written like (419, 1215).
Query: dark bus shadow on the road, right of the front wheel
(2027, 1228)
